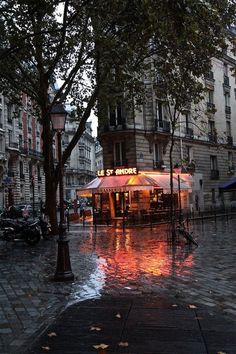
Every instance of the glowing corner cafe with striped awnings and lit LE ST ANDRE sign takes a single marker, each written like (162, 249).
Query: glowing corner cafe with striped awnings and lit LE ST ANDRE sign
(135, 194)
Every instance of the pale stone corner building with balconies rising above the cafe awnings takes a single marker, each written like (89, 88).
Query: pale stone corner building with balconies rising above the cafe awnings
(205, 146)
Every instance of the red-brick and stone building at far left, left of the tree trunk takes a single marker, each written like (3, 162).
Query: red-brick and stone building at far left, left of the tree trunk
(21, 162)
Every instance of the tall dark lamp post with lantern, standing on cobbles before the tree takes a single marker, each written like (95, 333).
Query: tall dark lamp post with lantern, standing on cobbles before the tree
(63, 270)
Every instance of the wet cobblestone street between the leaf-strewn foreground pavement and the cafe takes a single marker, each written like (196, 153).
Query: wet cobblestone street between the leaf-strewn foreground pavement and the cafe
(136, 262)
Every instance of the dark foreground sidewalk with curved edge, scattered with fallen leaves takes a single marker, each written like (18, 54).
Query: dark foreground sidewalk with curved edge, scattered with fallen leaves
(137, 326)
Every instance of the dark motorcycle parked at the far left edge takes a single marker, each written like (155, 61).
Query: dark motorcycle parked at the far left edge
(19, 230)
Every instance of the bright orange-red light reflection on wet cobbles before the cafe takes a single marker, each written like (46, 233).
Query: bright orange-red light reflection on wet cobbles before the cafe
(127, 257)
